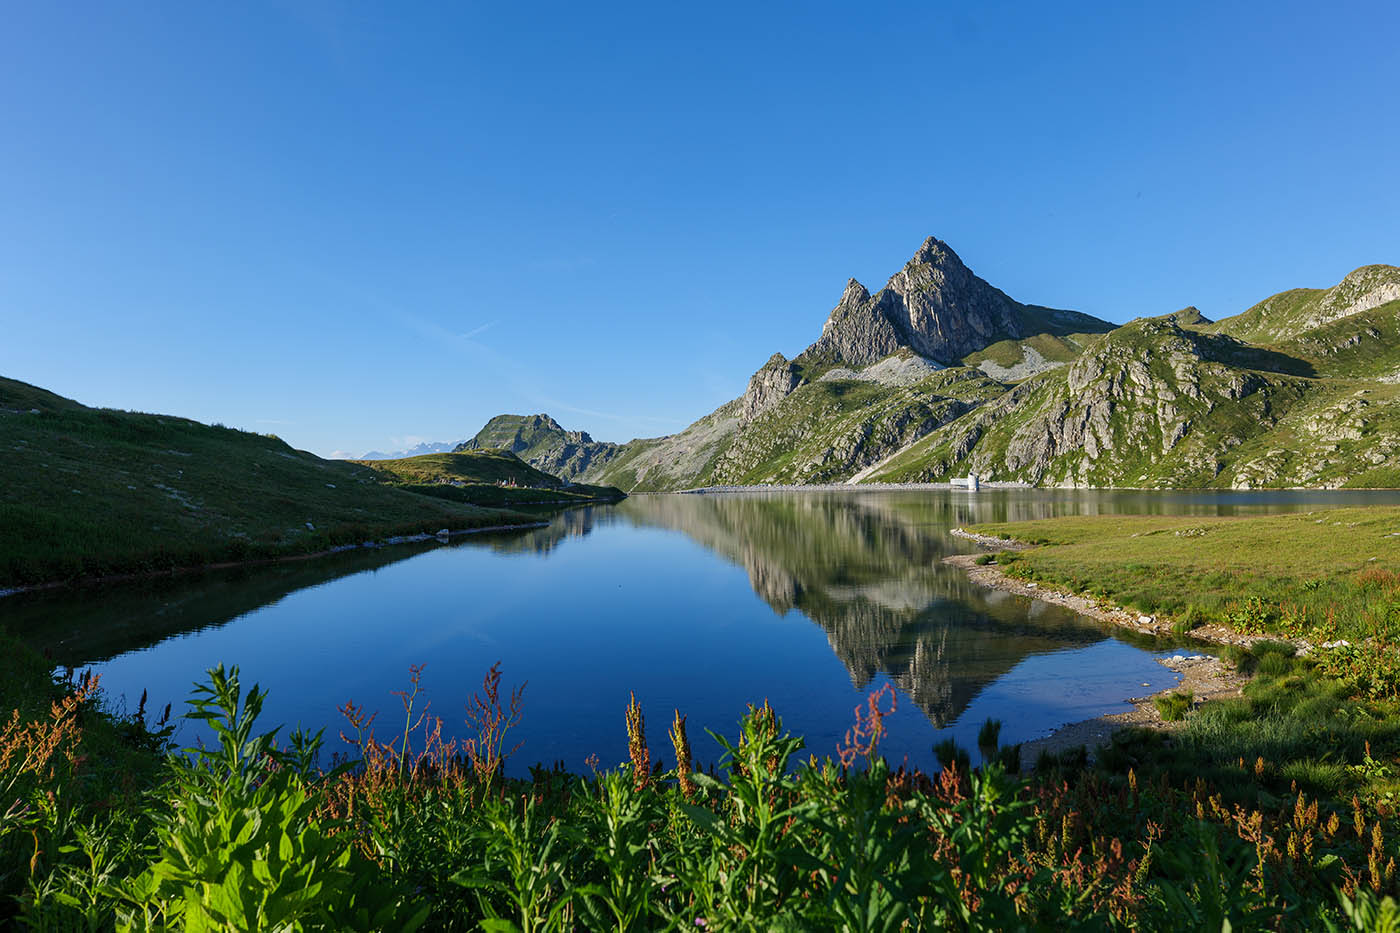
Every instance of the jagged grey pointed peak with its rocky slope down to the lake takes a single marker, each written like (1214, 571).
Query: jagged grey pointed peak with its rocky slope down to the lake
(871, 385)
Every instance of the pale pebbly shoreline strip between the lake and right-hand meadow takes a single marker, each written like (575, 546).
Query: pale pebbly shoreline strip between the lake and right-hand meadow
(1207, 677)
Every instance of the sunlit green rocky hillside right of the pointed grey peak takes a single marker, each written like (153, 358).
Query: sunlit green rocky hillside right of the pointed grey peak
(1156, 404)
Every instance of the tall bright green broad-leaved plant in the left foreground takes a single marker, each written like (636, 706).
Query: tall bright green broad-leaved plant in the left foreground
(240, 847)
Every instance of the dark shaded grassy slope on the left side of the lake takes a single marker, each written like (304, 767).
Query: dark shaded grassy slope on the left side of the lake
(92, 492)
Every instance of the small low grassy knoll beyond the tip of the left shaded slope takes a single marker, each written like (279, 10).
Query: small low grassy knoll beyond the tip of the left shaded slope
(485, 477)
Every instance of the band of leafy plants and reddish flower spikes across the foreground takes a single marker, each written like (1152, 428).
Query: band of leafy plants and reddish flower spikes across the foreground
(104, 827)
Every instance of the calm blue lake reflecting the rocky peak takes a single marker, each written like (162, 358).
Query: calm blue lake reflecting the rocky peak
(696, 603)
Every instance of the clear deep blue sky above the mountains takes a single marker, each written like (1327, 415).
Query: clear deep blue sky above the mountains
(362, 225)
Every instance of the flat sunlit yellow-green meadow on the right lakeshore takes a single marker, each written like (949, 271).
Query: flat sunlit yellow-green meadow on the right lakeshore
(1326, 572)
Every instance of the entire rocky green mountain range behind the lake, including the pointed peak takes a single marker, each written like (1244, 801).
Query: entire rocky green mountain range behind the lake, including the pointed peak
(940, 375)
